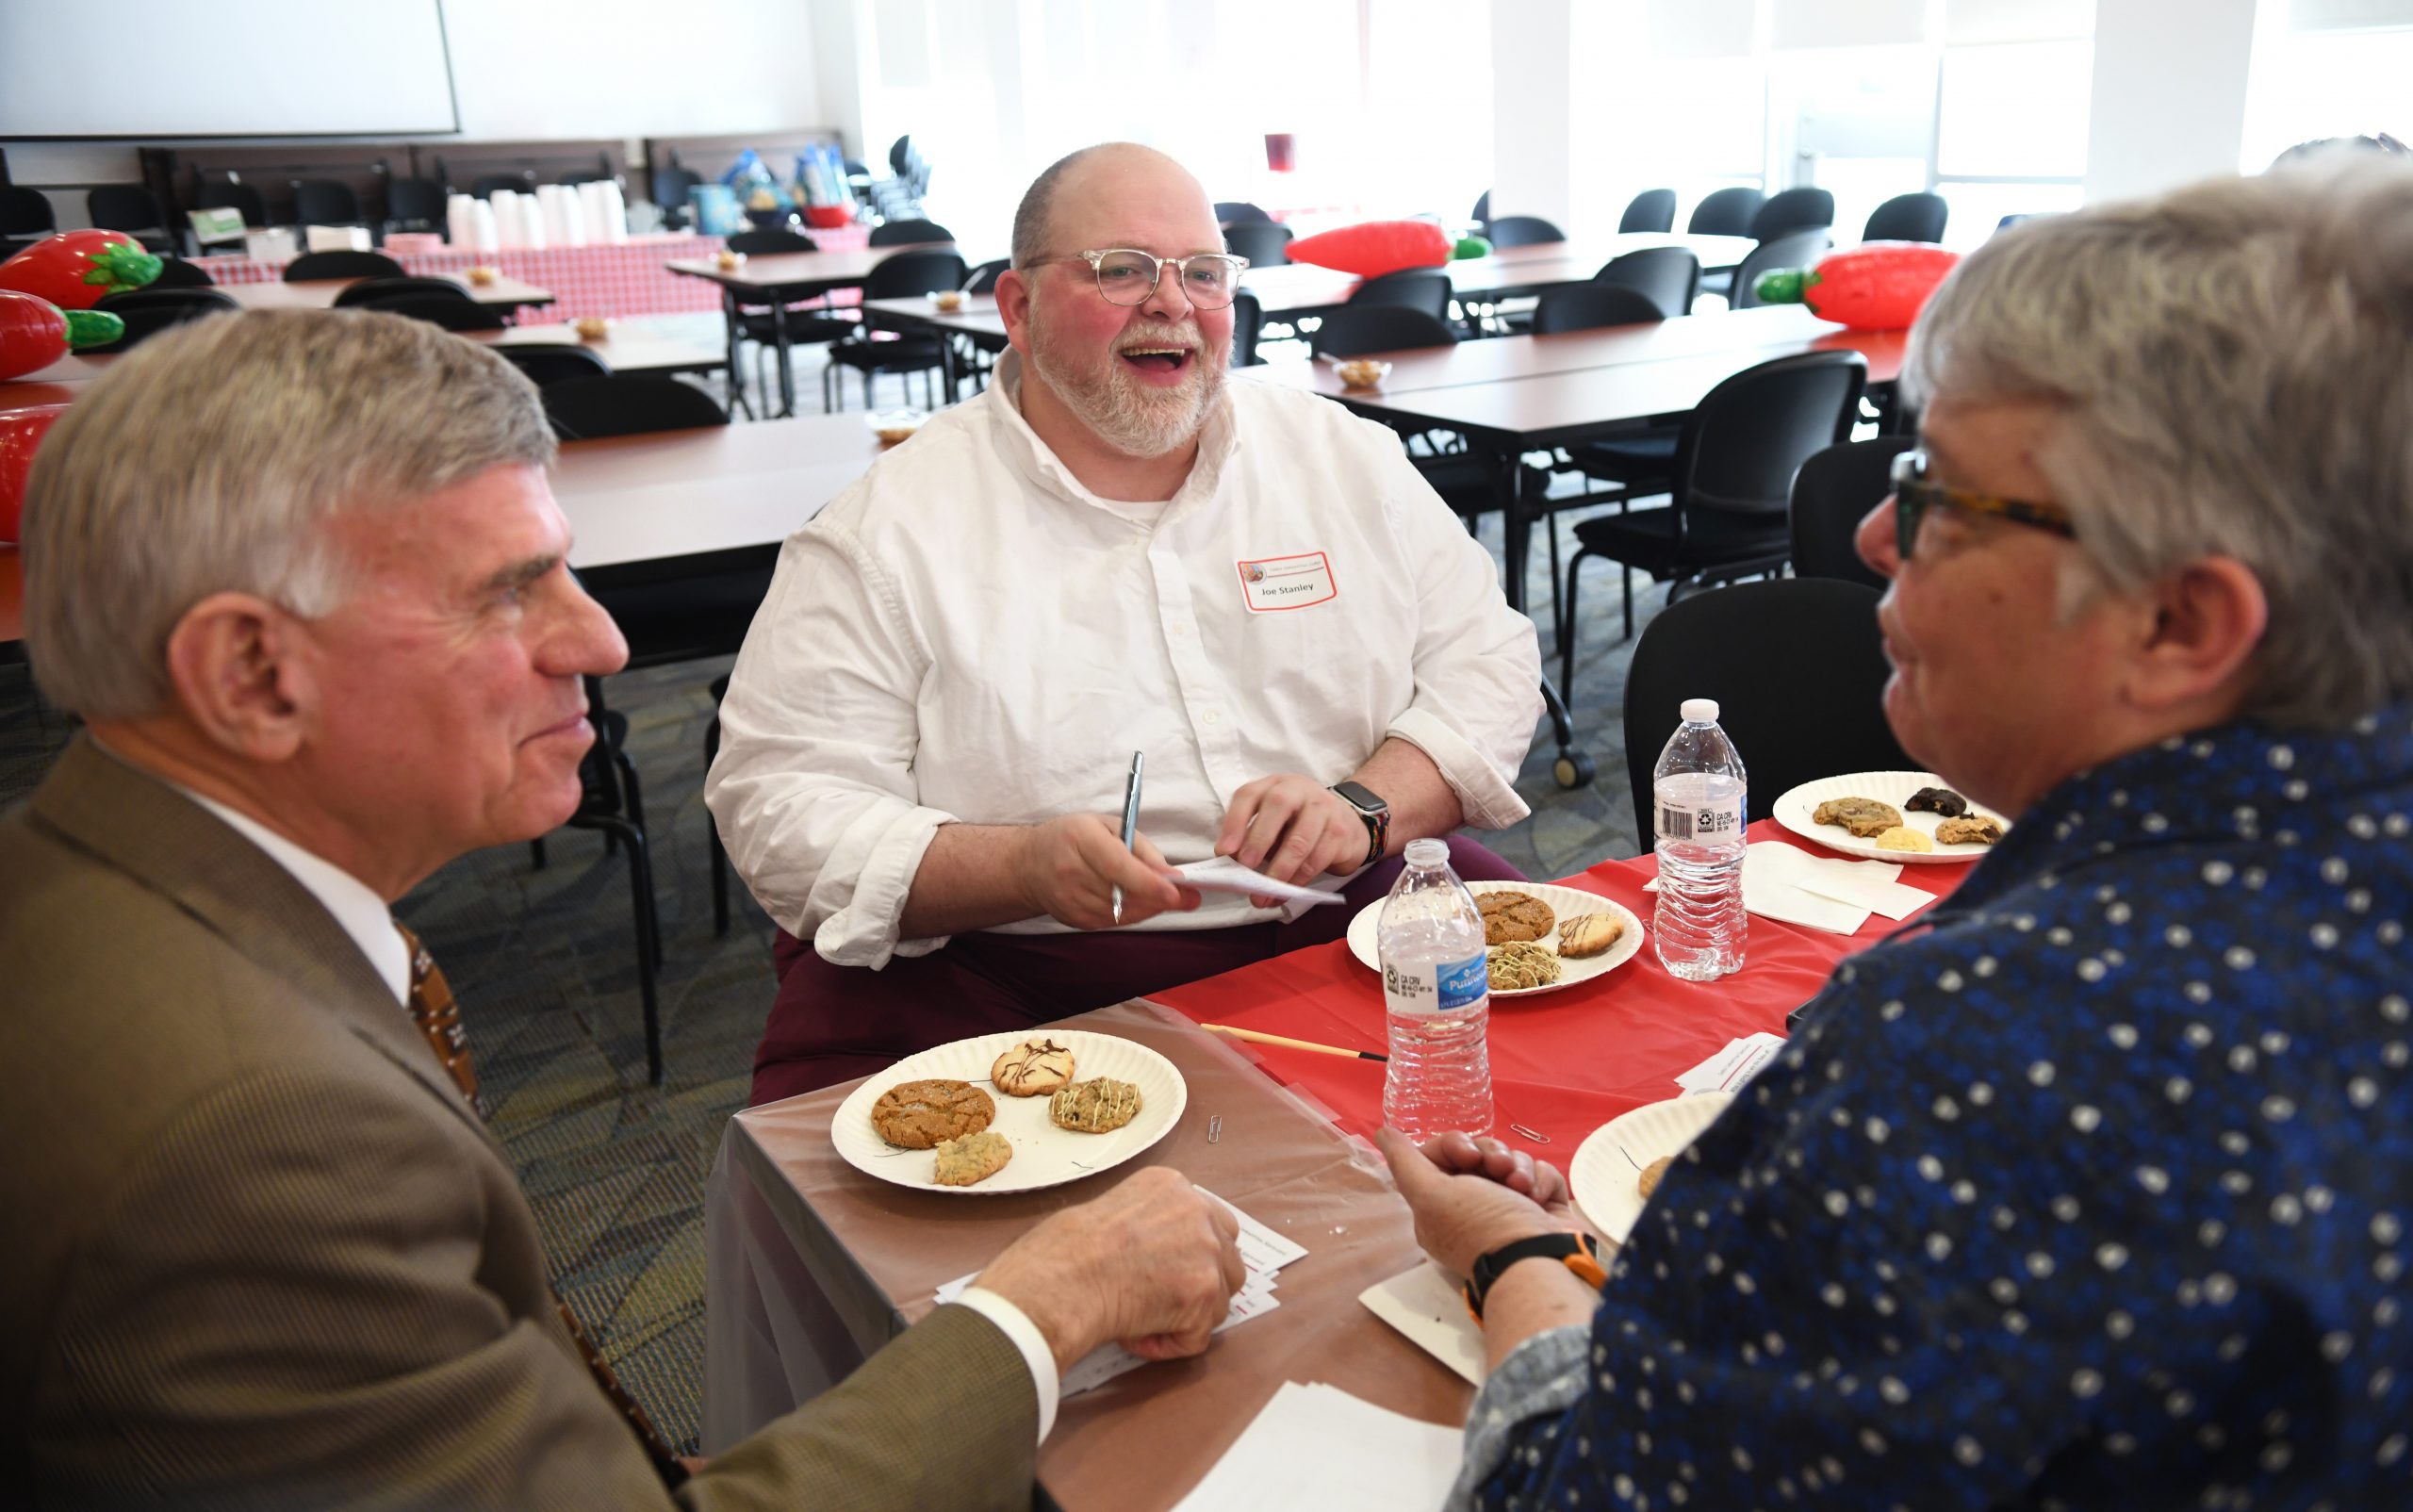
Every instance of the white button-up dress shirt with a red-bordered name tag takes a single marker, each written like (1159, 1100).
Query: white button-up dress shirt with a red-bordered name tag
(969, 635)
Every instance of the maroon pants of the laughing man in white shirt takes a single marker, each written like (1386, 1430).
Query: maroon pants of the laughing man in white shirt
(836, 1024)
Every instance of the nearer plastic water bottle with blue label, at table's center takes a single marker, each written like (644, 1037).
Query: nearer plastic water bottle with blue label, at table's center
(1437, 985)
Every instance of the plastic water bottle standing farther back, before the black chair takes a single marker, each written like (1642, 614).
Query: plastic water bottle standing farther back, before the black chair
(1698, 826)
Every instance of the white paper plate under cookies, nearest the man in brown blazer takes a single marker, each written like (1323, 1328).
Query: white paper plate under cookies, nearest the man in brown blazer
(1044, 1154)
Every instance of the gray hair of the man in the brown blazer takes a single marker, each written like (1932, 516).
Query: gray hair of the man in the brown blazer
(211, 459)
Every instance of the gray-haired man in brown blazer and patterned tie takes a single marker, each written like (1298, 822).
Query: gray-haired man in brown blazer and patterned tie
(303, 578)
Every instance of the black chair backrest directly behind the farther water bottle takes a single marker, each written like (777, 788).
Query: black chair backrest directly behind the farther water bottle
(1799, 674)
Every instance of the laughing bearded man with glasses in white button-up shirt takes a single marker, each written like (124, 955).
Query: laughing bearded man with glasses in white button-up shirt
(1111, 551)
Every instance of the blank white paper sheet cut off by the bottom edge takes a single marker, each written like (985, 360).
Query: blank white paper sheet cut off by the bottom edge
(1316, 1448)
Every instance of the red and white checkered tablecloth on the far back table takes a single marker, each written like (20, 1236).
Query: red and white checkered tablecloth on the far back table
(626, 279)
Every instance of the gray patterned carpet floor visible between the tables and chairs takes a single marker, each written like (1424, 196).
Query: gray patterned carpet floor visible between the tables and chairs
(544, 966)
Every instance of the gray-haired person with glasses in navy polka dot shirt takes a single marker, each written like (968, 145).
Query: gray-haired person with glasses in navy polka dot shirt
(2093, 1185)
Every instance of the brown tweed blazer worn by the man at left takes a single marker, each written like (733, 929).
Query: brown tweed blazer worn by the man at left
(264, 1258)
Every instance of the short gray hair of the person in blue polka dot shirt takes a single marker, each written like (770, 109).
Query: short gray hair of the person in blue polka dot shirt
(2233, 377)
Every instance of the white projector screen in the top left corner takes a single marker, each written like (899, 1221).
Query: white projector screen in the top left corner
(235, 69)
